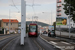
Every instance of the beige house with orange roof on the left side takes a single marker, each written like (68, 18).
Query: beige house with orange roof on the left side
(13, 24)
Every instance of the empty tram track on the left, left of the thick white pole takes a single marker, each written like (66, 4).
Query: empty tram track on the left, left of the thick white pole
(6, 41)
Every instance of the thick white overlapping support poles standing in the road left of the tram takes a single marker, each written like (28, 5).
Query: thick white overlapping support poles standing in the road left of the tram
(22, 21)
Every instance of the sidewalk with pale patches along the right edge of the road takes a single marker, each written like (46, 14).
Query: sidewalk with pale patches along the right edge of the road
(58, 44)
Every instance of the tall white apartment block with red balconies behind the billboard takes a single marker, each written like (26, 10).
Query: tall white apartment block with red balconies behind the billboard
(60, 13)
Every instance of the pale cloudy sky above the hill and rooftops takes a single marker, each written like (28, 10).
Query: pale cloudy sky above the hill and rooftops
(44, 9)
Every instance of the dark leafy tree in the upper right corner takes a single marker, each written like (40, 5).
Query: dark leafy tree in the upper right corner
(69, 4)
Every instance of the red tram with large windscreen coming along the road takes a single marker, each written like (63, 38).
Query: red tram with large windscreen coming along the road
(33, 30)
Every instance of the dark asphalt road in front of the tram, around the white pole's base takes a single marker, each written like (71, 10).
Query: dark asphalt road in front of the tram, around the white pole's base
(31, 43)
